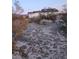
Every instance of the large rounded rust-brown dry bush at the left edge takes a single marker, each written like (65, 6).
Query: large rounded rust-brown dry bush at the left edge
(19, 23)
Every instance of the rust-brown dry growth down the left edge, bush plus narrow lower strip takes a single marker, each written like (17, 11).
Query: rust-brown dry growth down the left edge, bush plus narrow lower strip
(19, 24)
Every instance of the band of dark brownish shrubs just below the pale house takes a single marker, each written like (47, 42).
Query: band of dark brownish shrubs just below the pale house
(41, 17)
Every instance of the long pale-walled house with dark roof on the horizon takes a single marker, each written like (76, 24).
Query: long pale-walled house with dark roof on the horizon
(42, 12)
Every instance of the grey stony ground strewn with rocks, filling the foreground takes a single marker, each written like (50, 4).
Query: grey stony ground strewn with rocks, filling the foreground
(41, 41)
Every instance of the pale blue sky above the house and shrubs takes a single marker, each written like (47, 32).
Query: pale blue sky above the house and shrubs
(33, 5)
